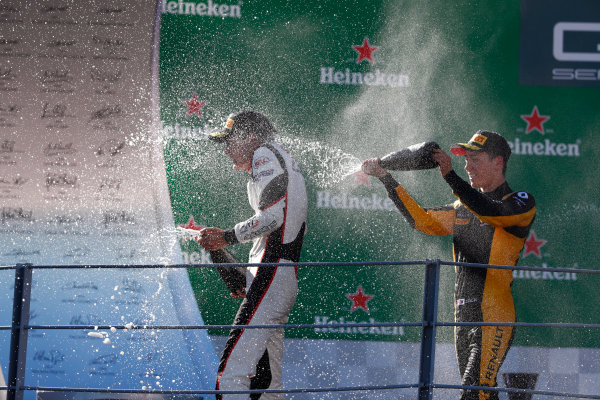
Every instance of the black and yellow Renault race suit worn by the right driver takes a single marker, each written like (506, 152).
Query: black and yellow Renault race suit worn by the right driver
(487, 228)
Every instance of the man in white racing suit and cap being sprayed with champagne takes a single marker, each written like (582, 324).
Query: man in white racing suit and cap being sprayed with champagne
(277, 194)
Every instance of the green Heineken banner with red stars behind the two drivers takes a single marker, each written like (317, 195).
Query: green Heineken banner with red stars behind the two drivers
(350, 80)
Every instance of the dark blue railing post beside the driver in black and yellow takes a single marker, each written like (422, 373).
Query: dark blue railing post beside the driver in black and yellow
(428, 331)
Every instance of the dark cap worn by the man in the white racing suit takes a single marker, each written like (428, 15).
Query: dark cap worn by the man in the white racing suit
(244, 122)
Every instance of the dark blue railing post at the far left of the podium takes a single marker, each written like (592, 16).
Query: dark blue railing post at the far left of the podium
(18, 335)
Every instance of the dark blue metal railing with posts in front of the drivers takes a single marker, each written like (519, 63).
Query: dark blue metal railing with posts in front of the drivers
(20, 327)
